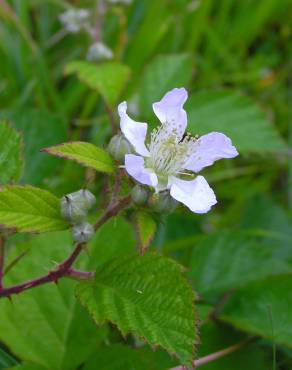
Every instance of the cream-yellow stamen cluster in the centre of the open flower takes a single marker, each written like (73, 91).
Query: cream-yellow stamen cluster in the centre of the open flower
(167, 153)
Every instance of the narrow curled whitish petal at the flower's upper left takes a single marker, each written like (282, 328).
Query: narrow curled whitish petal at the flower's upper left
(134, 131)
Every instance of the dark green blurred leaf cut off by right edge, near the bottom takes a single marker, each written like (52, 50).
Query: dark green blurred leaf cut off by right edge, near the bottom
(263, 308)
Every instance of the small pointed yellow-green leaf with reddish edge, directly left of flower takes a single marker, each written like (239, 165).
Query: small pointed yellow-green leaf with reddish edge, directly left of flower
(84, 153)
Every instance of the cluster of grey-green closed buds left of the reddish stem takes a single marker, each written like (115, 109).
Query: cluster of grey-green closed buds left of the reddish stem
(74, 208)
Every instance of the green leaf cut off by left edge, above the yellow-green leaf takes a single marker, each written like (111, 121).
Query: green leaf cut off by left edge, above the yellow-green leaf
(11, 163)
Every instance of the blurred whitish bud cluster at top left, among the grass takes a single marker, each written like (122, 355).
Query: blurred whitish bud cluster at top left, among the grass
(75, 19)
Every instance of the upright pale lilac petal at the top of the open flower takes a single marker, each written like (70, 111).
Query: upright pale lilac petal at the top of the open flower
(169, 110)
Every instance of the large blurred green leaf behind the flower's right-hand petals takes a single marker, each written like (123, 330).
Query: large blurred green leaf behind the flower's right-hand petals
(236, 116)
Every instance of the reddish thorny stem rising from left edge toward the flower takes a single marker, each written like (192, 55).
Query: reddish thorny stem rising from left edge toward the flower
(65, 268)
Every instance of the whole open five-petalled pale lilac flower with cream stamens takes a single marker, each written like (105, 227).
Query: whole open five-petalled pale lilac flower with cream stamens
(171, 154)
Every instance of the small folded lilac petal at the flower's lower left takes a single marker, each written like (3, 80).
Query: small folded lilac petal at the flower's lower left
(135, 167)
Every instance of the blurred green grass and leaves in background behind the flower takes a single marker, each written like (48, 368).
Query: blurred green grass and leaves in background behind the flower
(234, 58)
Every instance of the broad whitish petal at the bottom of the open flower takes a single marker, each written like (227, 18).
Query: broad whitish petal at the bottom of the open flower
(195, 194)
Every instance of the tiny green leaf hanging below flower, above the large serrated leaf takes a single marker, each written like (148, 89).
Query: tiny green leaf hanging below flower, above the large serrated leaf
(145, 229)
